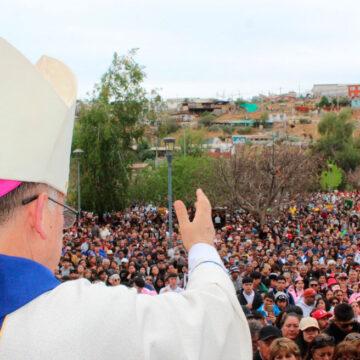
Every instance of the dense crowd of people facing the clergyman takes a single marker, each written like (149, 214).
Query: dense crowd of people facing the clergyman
(297, 276)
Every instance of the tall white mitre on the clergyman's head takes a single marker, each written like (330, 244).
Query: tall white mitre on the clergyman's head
(37, 107)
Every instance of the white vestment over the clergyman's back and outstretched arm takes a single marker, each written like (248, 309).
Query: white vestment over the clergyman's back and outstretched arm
(79, 320)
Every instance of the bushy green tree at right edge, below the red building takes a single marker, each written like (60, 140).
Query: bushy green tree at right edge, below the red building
(337, 142)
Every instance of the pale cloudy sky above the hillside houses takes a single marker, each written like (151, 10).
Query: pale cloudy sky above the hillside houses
(198, 48)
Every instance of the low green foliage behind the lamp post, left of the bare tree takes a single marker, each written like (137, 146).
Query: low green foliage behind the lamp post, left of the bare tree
(188, 174)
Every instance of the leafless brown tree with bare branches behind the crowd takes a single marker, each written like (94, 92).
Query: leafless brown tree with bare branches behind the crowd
(258, 178)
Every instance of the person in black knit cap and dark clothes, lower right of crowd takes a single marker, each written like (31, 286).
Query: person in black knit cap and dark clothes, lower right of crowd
(343, 323)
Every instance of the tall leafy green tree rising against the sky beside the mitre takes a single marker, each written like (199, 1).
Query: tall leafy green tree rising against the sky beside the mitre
(106, 129)
